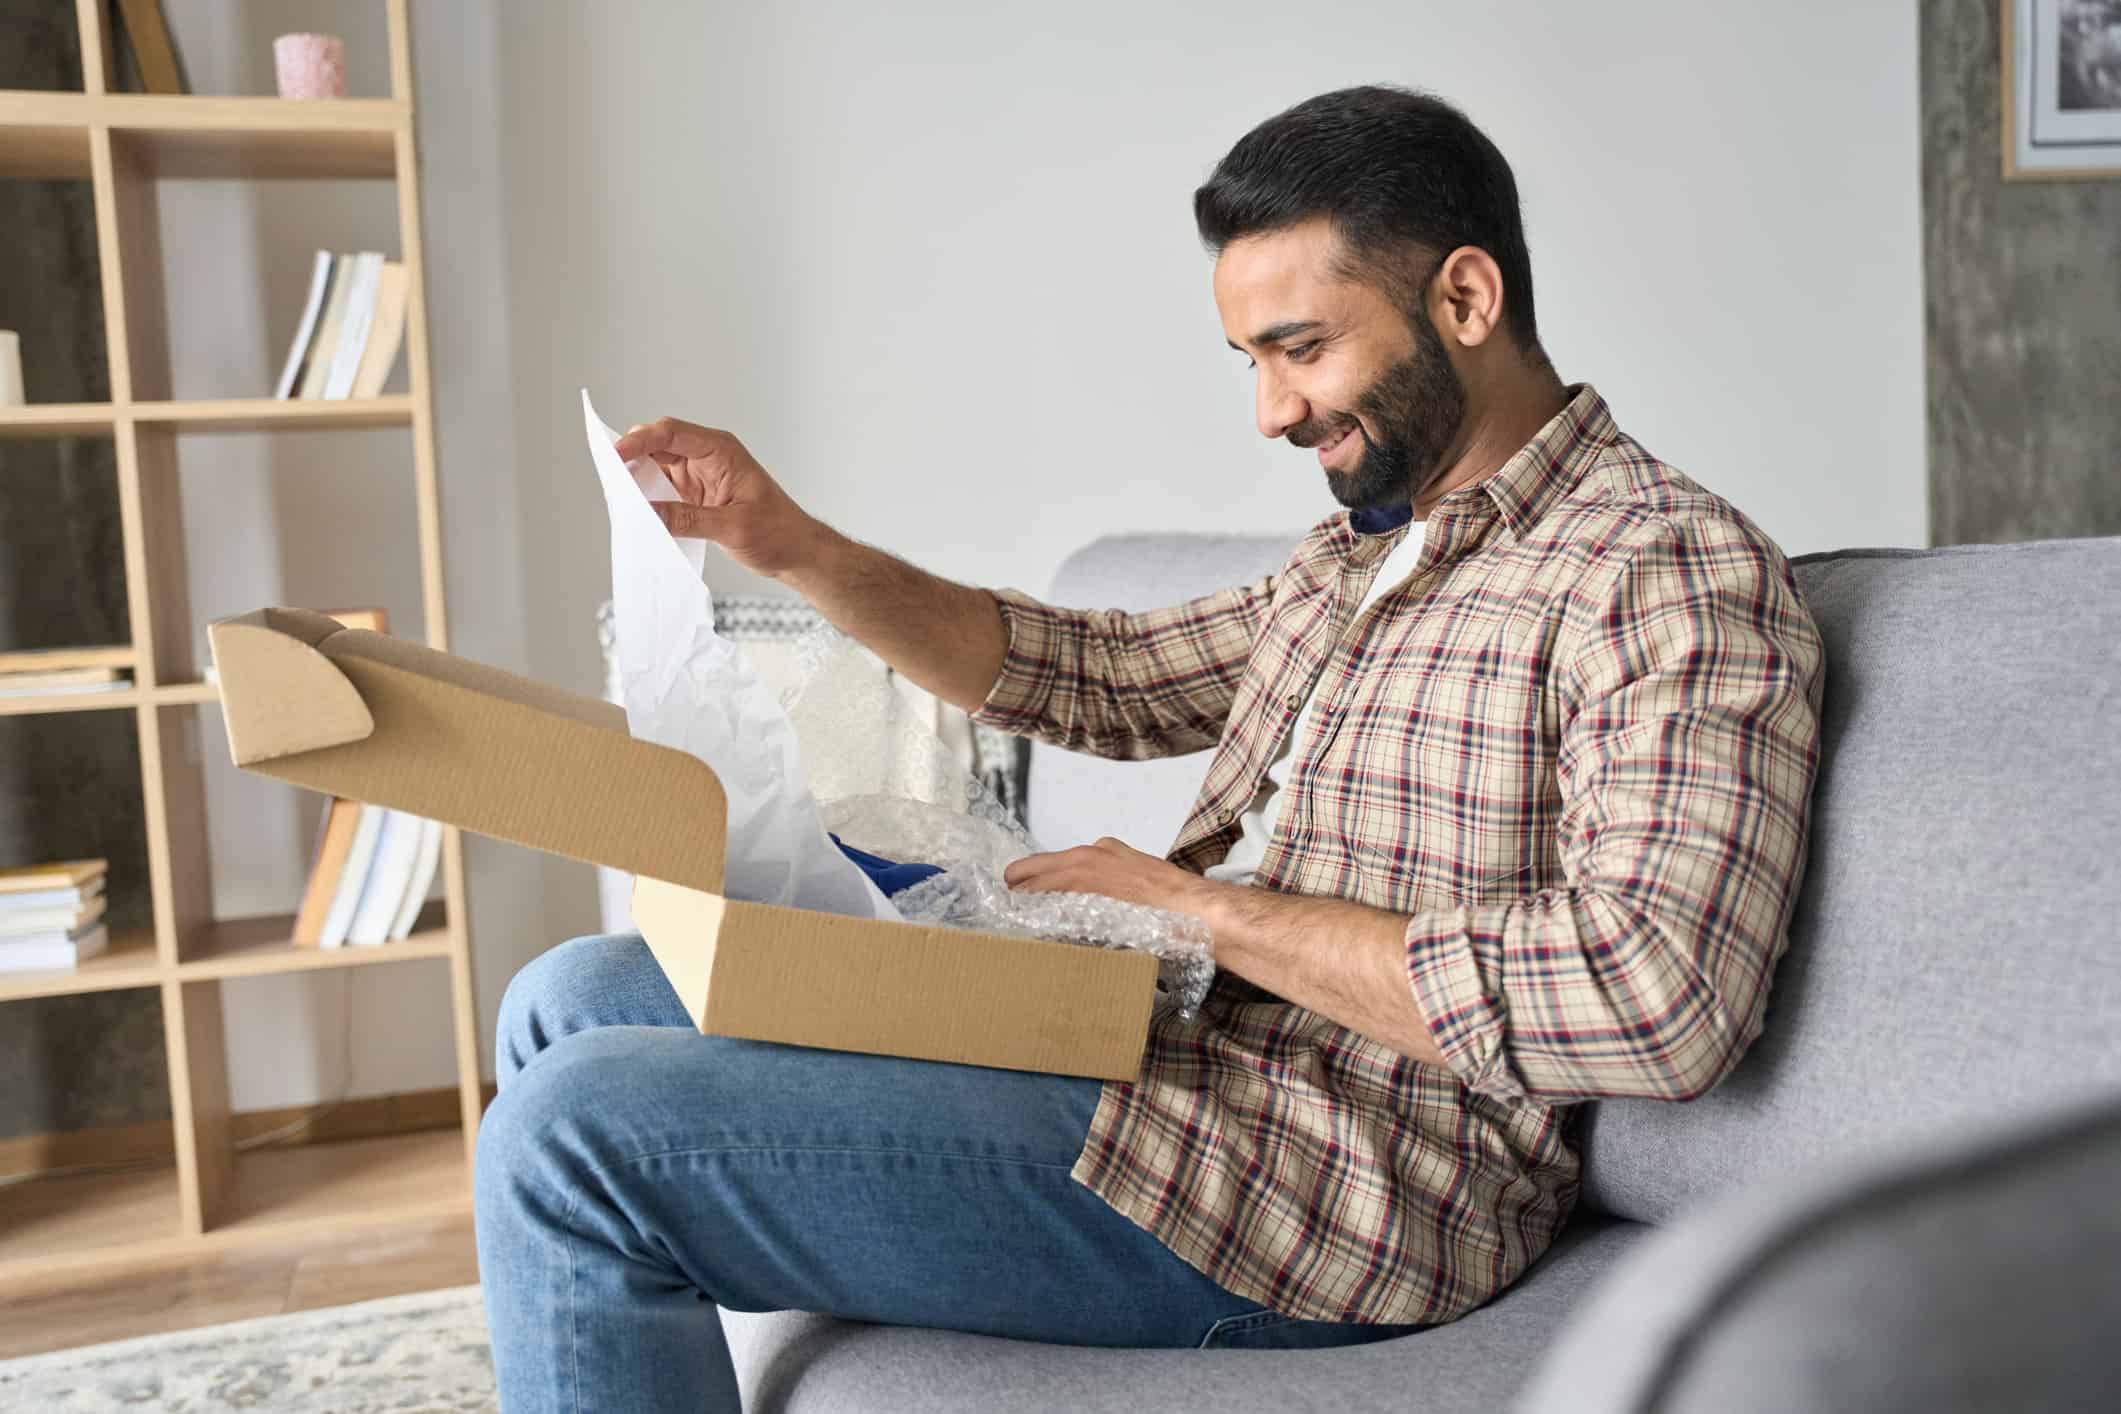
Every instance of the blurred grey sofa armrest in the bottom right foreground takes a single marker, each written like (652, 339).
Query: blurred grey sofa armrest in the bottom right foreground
(1959, 1277)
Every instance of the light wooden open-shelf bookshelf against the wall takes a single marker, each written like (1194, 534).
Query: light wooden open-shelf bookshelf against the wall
(124, 145)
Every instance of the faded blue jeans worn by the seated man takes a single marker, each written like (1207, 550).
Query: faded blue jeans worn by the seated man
(635, 1178)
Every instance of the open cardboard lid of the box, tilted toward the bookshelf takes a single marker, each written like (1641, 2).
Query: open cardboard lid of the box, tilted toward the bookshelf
(389, 722)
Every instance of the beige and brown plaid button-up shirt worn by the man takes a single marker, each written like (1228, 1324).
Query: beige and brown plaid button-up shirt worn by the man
(1577, 749)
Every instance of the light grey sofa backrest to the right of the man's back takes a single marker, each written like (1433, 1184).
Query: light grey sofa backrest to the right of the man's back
(1957, 949)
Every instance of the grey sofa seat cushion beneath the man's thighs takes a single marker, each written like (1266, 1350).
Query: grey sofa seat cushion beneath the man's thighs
(803, 1364)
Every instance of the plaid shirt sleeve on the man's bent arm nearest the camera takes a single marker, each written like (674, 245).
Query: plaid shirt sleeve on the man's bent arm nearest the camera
(1687, 758)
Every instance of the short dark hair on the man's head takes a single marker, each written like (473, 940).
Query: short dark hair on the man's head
(1403, 177)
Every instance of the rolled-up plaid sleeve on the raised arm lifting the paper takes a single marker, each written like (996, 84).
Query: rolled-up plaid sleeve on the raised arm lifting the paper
(1117, 684)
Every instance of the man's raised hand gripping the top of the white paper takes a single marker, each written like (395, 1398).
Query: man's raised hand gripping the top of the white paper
(729, 497)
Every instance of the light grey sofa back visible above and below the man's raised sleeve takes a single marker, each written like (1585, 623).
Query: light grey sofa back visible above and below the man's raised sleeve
(1074, 800)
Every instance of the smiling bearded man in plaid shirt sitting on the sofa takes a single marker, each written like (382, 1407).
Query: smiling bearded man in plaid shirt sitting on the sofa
(1509, 807)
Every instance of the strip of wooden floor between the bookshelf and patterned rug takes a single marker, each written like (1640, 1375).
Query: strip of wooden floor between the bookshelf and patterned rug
(260, 1282)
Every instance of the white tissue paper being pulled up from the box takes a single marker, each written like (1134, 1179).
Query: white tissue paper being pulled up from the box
(690, 690)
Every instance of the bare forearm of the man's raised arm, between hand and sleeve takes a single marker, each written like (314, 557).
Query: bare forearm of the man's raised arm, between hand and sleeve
(945, 637)
